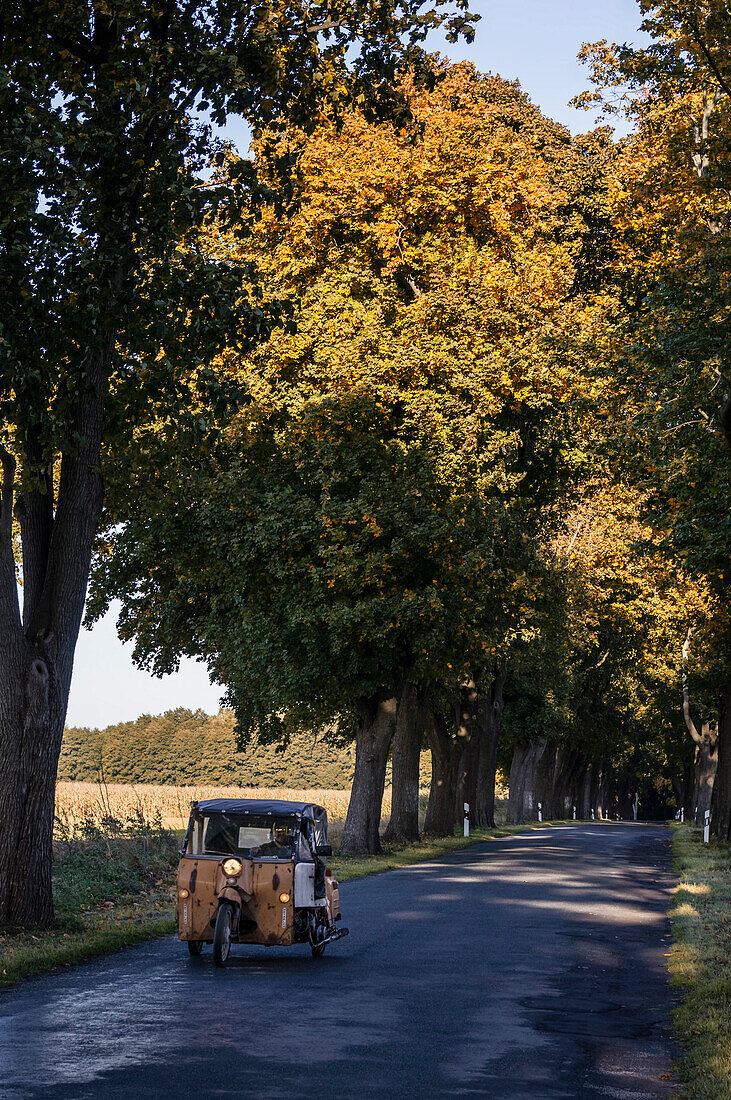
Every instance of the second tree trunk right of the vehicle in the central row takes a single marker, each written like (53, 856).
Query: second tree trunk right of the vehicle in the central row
(406, 754)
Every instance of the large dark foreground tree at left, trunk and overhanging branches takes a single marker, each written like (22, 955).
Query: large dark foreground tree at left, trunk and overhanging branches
(108, 317)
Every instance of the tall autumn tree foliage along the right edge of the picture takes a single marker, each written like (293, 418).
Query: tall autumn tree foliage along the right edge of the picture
(669, 346)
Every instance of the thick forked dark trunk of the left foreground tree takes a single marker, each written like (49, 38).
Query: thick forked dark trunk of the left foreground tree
(37, 654)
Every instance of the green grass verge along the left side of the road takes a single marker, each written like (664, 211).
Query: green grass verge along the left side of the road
(113, 894)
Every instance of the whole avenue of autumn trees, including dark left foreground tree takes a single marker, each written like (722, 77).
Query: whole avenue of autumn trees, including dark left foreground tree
(417, 425)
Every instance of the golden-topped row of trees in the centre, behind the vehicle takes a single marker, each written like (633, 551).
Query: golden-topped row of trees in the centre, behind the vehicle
(417, 529)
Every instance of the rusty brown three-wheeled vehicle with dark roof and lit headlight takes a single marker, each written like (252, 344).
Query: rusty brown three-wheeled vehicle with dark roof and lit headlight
(254, 872)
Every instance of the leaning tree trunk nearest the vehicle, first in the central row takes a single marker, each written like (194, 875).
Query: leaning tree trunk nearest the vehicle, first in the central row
(378, 723)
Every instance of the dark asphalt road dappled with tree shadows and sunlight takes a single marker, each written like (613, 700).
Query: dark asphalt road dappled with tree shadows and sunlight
(528, 967)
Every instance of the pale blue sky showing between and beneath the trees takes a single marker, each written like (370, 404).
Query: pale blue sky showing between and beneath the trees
(534, 41)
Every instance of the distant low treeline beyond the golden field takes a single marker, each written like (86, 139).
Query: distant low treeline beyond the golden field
(186, 747)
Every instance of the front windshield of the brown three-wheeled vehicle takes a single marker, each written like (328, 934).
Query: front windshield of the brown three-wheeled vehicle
(253, 837)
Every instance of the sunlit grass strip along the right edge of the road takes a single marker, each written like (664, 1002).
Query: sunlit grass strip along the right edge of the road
(701, 964)
